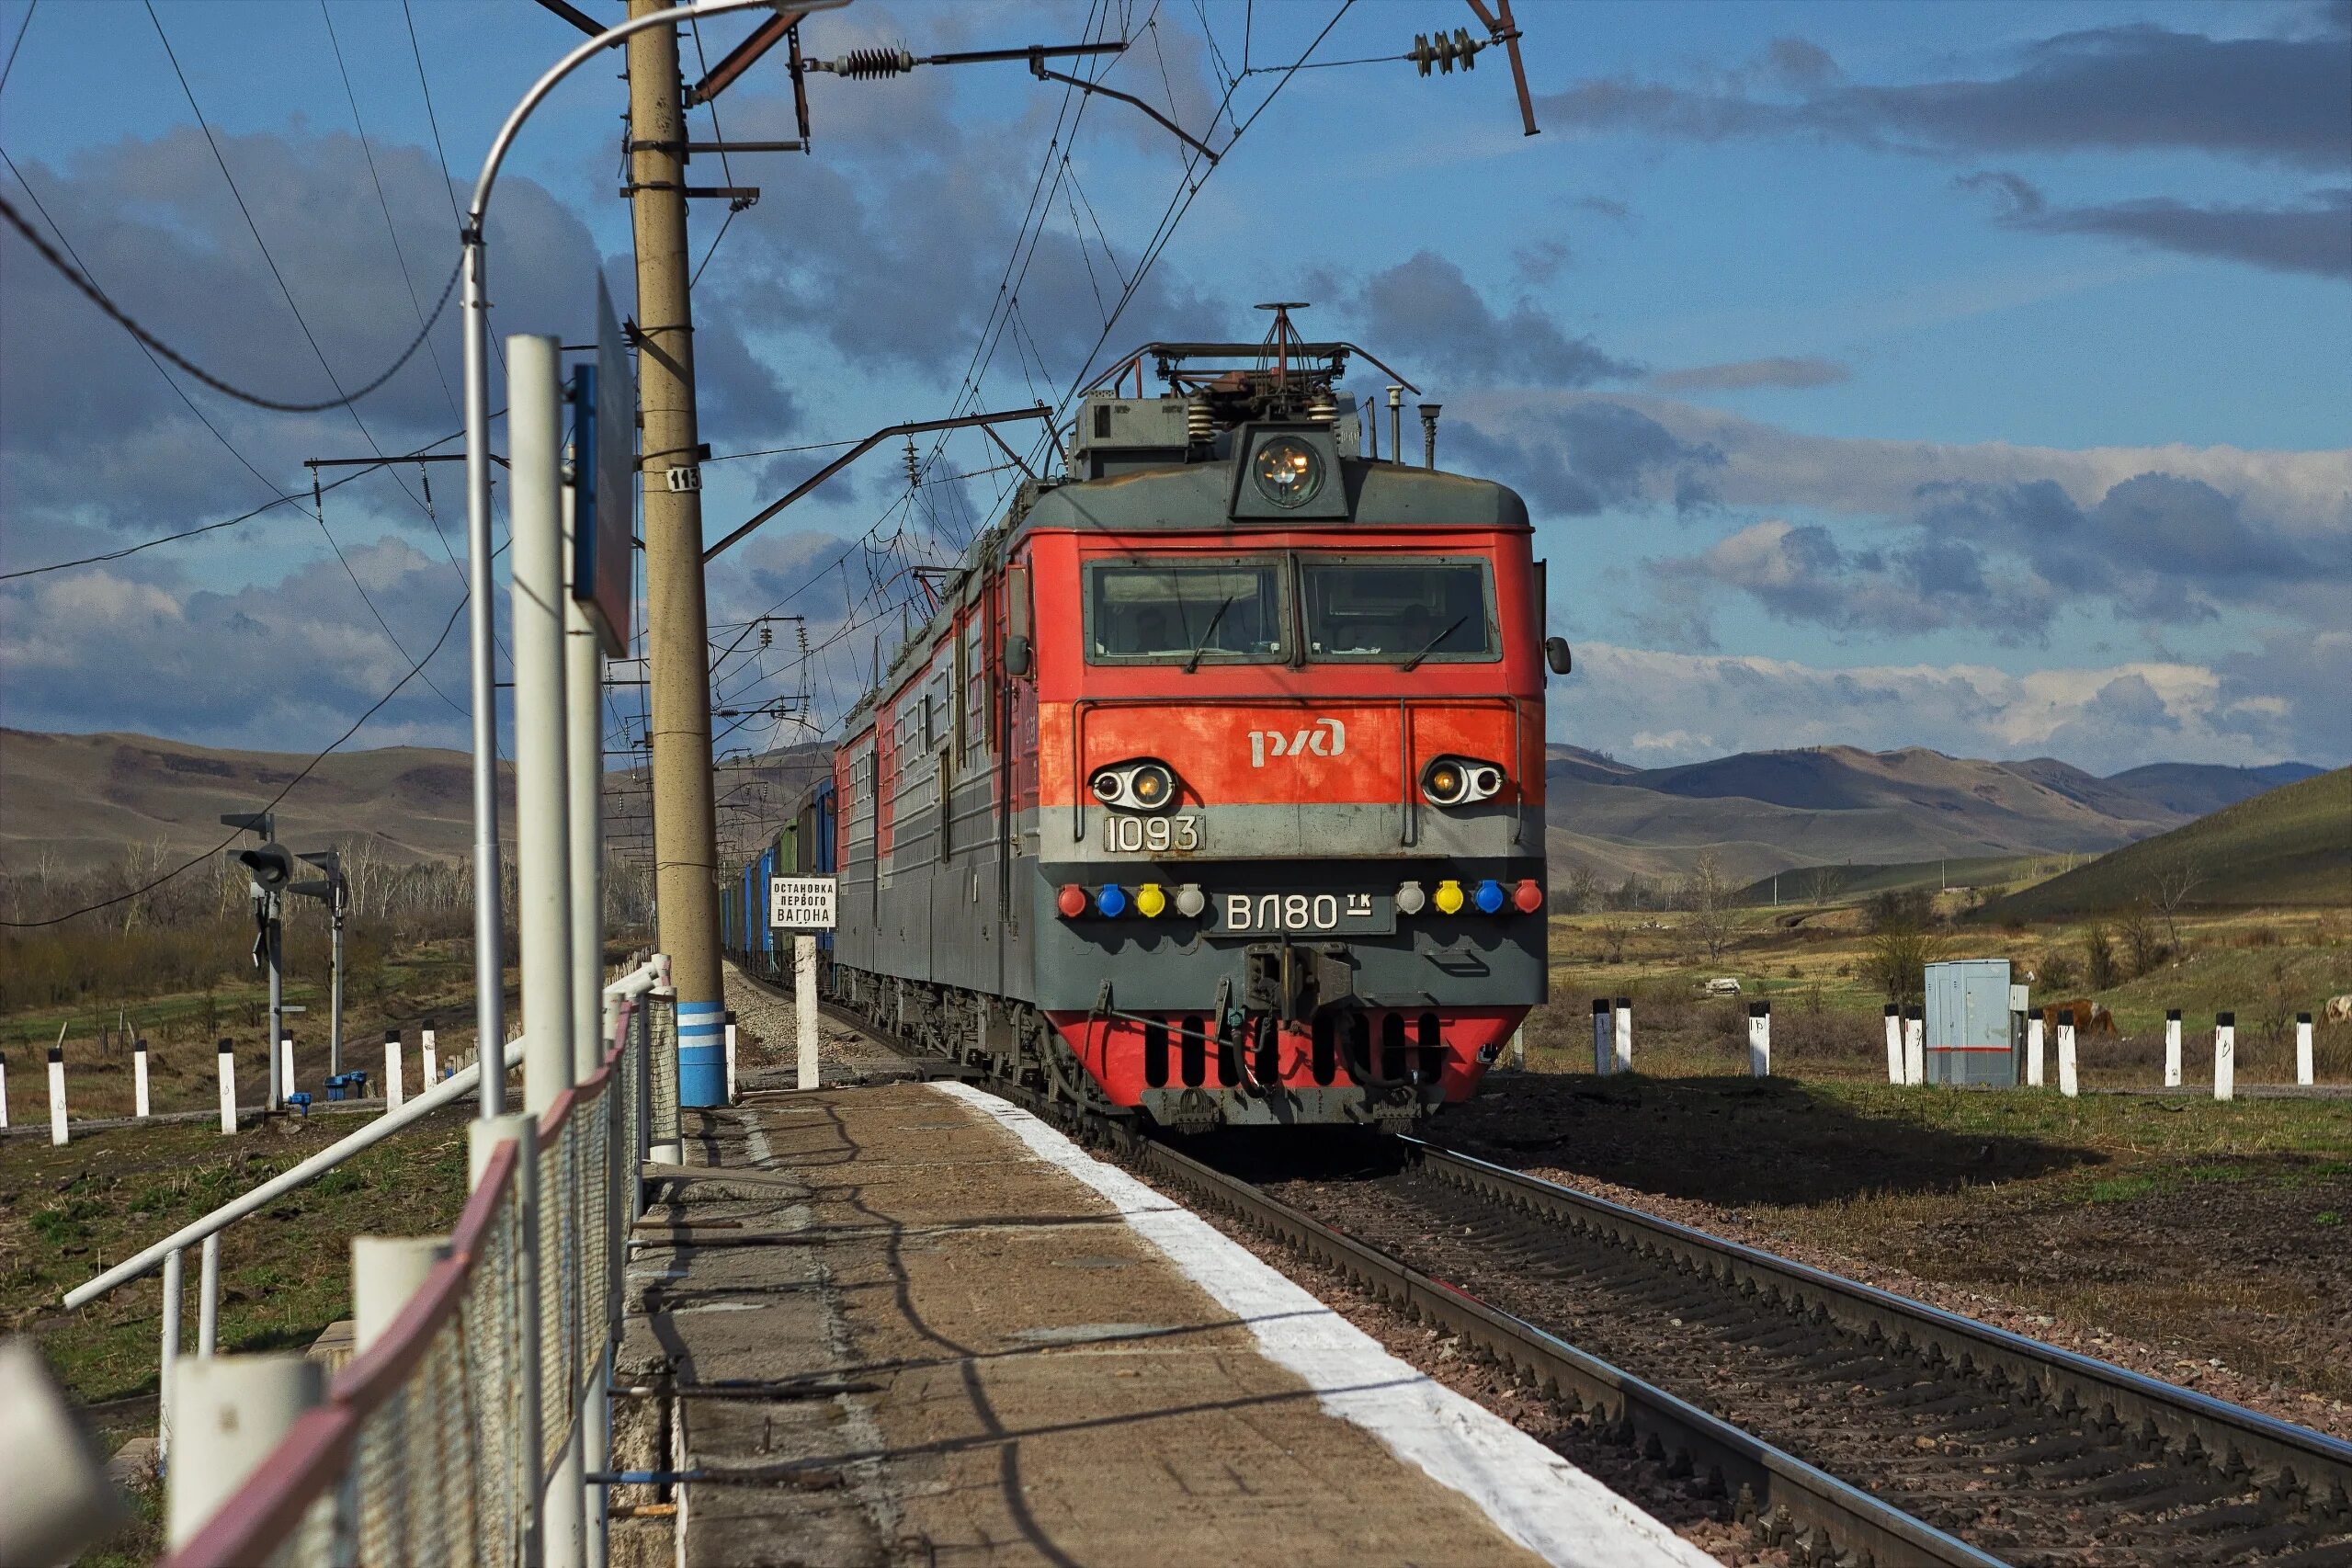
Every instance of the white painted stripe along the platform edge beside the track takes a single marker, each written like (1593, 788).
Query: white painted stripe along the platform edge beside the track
(1525, 1489)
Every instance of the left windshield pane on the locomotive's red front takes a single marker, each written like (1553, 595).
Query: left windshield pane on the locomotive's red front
(1175, 612)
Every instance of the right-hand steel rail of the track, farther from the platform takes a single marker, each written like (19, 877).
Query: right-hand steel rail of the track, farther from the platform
(2292, 1461)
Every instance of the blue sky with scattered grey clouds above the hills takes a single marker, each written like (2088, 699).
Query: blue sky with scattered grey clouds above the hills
(1887, 375)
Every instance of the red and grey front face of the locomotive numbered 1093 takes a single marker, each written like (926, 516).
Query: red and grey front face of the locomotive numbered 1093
(1288, 770)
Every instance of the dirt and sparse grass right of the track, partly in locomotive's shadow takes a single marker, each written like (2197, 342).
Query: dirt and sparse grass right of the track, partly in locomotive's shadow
(2186, 1240)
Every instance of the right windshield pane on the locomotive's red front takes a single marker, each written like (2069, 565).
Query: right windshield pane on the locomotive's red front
(1394, 610)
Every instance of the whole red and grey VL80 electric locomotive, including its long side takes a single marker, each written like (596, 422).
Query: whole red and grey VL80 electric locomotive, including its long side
(1215, 786)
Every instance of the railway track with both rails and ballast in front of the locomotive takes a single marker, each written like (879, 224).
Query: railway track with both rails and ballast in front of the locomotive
(1840, 1423)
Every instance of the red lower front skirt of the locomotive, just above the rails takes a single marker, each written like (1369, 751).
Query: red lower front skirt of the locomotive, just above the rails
(1377, 1047)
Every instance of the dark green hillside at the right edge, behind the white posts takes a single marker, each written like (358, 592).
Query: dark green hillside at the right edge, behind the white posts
(2285, 847)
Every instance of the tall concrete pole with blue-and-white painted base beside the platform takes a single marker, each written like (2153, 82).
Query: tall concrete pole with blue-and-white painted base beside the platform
(679, 662)
